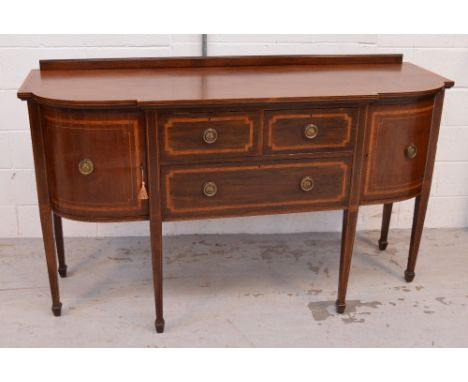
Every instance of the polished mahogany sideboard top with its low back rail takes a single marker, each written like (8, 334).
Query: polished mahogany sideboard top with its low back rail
(225, 80)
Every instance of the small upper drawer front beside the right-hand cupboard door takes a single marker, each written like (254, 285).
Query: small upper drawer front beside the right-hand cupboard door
(311, 130)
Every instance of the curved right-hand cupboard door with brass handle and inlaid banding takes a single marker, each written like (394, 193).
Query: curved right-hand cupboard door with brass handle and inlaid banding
(397, 144)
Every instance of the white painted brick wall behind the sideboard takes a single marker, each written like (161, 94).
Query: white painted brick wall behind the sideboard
(445, 54)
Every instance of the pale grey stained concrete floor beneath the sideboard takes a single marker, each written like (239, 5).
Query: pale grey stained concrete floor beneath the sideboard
(239, 291)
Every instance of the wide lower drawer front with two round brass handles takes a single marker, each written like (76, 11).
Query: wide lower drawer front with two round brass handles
(250, 189)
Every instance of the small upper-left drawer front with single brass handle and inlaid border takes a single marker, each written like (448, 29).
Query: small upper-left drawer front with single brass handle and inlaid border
(208, 135)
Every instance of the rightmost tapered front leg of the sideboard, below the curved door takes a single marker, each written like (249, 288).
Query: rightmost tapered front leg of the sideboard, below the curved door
(420, 208)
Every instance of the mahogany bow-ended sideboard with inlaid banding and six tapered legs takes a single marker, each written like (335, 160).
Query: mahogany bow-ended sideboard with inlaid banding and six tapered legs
(164, 139)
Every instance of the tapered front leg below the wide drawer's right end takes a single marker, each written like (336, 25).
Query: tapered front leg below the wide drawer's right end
(347, 243)
